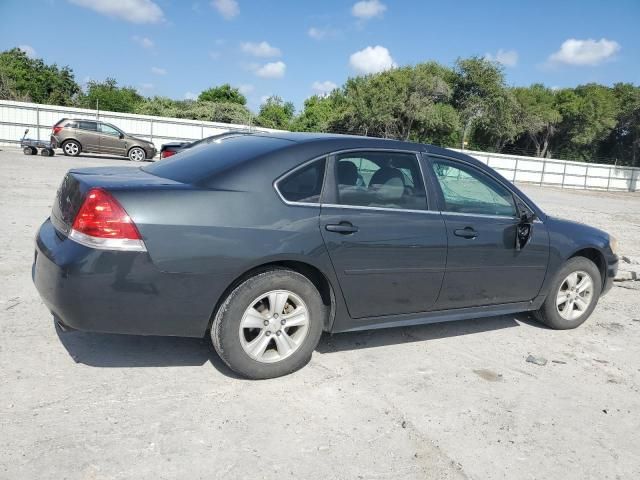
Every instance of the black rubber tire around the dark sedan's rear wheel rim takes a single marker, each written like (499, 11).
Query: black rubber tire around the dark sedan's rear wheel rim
(225, 330)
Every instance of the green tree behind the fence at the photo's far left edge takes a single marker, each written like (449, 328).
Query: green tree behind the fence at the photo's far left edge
(25, 78)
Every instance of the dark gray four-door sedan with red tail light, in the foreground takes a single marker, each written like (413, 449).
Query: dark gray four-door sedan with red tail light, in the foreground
(266, 241)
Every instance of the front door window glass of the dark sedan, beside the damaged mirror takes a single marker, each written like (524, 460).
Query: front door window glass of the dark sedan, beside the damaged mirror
(467, 190)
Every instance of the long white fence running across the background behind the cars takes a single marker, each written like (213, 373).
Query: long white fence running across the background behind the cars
(16, 116)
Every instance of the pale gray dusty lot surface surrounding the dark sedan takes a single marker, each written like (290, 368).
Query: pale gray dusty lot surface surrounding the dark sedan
(456, 400)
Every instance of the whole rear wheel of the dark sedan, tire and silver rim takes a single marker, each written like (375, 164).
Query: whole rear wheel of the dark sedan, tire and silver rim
(270, 324)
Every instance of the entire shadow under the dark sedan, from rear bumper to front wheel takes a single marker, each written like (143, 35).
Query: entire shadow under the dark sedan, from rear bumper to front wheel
(132, 351)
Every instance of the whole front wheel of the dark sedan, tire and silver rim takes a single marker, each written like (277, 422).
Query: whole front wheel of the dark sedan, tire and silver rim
(573, 295)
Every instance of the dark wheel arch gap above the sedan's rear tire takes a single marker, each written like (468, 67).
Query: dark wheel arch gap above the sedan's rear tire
(313, 273)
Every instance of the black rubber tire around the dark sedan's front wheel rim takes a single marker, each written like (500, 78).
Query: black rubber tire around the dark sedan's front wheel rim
(548, 313)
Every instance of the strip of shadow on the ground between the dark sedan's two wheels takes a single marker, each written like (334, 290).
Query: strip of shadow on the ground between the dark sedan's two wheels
(339, 342)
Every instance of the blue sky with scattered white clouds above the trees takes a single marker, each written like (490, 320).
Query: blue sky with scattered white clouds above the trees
(294, 48)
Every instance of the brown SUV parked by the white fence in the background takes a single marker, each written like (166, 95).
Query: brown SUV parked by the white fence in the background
(81, 135)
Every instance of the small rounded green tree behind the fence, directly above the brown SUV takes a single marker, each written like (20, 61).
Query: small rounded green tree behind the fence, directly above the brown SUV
(108, 96)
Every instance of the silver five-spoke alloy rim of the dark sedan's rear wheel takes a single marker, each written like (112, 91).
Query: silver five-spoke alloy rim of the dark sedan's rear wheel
(274, 326)
